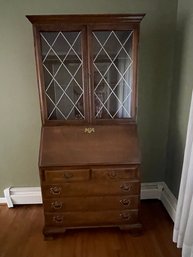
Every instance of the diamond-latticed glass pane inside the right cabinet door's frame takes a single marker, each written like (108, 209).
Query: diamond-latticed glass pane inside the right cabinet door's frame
(112, 63)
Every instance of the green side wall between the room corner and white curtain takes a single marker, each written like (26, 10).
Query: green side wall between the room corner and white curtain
(182, 85)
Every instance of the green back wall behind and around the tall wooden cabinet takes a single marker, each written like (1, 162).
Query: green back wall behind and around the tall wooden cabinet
(19, 106)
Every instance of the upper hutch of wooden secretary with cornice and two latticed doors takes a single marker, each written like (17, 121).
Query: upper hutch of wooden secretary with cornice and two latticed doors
(87, 67)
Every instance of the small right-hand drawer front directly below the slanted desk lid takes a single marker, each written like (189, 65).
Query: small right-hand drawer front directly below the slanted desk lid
(116, 173)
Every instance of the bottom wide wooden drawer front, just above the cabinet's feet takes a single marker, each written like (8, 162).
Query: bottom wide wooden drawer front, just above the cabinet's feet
(71, 219)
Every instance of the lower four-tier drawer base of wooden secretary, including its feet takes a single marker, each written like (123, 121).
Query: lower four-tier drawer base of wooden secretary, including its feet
(94, 198)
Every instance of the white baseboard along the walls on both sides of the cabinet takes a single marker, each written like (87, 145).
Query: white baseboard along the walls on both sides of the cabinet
(32, 195)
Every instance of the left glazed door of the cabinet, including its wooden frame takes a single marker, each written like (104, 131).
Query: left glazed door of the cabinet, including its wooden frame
(61, 58)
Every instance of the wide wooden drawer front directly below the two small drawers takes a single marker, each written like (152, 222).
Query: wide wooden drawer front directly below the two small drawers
(91, 189)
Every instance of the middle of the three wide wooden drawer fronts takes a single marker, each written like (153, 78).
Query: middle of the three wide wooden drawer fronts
(91, 203)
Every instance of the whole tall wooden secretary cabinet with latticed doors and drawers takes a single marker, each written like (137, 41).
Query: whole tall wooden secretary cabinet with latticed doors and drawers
(89, 153)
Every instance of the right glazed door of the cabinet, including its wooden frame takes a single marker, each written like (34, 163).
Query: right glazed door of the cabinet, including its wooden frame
(113, 56)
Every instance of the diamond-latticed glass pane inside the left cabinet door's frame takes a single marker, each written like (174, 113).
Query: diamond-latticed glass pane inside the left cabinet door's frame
(62, 69)
